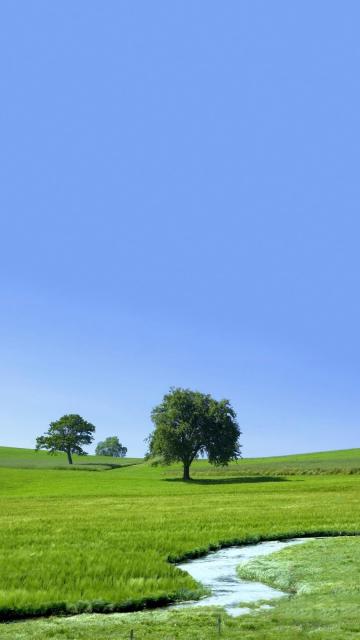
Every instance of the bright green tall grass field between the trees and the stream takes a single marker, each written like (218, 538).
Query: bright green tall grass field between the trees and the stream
(101, 541)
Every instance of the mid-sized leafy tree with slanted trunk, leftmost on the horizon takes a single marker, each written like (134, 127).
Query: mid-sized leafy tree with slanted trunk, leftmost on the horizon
(67, 434)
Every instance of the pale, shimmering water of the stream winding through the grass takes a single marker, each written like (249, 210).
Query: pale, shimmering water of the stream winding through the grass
(217, 572)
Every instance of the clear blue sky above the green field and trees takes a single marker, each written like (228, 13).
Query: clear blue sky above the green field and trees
(179, 205)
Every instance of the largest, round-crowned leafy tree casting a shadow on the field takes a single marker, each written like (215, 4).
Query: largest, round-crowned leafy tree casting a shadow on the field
(189, 424)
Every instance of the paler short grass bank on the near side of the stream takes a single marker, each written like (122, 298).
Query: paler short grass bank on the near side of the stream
(323, 575)
